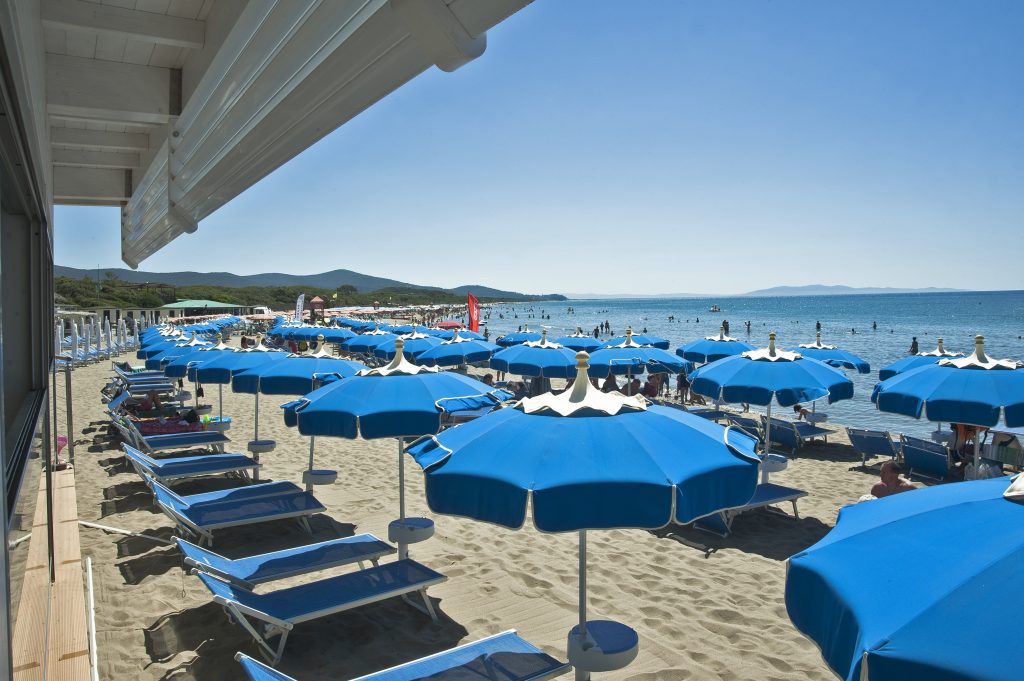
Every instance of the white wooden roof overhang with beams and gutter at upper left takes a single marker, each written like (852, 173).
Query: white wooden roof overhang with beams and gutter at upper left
(173, 108)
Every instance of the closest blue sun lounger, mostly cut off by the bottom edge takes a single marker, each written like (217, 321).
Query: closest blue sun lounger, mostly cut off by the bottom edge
(505, 657)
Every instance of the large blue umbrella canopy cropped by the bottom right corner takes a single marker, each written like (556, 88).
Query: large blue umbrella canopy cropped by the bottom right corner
(917, 586)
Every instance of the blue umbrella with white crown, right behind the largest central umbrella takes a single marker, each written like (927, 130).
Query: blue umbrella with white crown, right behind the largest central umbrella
(766, 375)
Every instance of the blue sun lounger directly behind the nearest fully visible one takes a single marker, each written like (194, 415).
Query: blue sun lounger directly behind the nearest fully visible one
(251, 571)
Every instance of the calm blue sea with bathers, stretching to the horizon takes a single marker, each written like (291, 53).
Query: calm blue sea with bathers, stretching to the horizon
(955, 317)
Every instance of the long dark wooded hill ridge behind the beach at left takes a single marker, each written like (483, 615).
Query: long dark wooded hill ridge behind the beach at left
(331, 280)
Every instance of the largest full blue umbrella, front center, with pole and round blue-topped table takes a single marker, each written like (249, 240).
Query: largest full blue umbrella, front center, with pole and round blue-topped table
(587, 460)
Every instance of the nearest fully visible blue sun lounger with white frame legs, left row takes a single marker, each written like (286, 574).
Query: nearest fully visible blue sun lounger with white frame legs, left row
(270, 615)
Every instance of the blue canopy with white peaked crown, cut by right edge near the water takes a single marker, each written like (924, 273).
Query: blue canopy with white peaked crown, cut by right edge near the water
(974, 391)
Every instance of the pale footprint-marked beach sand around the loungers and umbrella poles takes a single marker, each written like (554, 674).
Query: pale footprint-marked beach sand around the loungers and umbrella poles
(705, 608)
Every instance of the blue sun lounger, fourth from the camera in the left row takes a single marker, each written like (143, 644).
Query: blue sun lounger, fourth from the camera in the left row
(200, 516)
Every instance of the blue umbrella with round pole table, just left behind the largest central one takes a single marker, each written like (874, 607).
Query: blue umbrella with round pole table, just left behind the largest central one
(398, 401)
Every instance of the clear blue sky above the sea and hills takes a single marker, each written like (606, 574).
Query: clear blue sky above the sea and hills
(660, 148)
